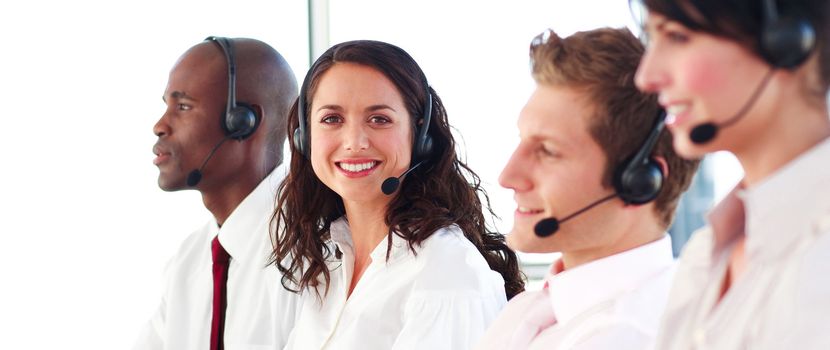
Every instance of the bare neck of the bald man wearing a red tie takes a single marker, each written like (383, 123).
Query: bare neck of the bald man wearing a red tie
(222, 198)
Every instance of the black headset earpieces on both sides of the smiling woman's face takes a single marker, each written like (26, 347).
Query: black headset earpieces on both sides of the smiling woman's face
(420, 150)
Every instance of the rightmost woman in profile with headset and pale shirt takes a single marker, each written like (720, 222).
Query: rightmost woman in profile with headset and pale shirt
(749, 77)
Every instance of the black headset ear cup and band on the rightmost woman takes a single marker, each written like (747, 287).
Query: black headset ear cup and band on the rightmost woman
(786, 41)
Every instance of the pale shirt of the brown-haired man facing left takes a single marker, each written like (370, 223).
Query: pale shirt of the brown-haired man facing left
(610, 303)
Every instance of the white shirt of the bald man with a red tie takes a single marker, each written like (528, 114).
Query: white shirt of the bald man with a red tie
(260, 312)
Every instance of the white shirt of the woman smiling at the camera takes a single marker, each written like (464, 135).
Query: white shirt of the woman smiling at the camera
(442, 298)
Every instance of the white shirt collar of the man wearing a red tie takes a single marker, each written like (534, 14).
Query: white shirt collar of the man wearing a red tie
(241, 235)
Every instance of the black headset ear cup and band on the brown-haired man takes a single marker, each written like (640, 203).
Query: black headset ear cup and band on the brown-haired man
(639, 179)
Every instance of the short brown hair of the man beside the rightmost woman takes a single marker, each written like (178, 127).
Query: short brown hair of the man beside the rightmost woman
(602, 63)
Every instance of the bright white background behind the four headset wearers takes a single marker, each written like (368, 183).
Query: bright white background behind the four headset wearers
(85, 230)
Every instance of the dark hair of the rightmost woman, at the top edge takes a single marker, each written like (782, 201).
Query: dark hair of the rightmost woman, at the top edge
(742, 21)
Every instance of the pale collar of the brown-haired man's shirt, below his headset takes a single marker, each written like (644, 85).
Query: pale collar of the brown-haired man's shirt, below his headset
(579, 289)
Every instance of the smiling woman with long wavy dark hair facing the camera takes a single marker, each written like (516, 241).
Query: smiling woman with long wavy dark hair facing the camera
(412, 265)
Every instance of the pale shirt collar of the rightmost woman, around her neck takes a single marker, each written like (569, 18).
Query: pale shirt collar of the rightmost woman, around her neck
(795, 194)
